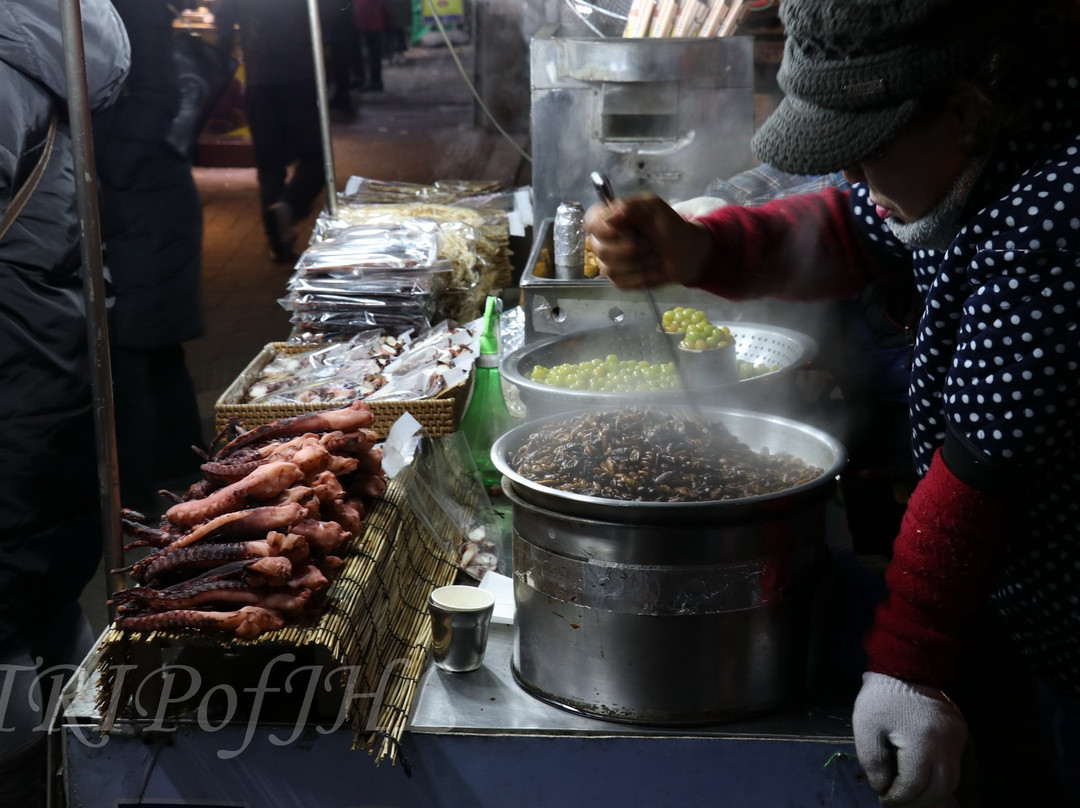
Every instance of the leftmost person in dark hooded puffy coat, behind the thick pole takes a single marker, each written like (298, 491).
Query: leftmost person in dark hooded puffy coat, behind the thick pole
(50, 510)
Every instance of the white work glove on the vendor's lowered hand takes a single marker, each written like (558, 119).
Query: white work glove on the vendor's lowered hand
(910, 740)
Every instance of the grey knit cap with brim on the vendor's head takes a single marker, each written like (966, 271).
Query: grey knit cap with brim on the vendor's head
(854, 75)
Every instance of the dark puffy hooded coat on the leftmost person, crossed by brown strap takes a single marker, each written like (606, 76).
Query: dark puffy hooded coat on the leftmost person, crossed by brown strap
(49, 484)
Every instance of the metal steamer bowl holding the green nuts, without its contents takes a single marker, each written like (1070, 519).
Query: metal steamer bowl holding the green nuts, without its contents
(782, 348)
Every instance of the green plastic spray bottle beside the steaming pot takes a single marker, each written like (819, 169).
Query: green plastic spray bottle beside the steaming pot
(487, 416)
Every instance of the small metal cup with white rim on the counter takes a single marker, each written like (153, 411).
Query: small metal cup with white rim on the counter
(461, 617)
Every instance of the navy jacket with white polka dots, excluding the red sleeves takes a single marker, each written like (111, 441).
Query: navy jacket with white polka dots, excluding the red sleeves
(996, 366)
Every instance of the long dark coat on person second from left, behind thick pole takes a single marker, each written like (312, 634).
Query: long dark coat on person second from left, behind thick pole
(152, 217)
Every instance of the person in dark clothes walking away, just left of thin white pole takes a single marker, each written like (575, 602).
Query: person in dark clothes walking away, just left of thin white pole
(282, 109)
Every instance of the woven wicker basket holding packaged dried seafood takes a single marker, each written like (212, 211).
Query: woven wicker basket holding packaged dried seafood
(439, 416)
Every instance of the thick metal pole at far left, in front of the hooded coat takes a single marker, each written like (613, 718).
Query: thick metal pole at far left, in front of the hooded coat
(93, 287)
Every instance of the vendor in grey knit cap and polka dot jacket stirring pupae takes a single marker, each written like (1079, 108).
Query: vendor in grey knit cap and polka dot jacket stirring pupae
(958, 126)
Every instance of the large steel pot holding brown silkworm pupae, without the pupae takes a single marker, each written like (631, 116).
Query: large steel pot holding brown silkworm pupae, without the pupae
(670, 614)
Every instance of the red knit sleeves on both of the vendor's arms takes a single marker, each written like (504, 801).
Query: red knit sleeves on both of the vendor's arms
(804, 249)
